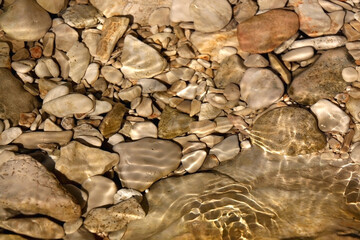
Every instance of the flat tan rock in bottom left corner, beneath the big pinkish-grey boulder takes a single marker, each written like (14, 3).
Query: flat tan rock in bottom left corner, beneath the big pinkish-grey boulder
(39, 227)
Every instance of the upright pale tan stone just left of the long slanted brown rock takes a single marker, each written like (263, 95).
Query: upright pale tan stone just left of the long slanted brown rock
(79, 59)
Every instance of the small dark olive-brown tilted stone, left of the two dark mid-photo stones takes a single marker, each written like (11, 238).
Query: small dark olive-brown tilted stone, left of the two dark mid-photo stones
(112, 121)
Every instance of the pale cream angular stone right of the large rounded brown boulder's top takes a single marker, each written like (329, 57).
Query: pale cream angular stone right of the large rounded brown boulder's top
(330, 117)
